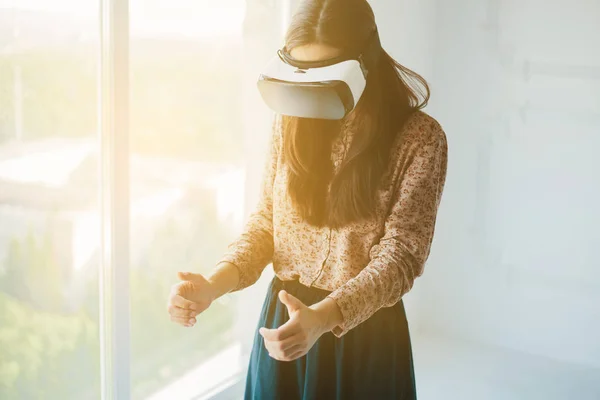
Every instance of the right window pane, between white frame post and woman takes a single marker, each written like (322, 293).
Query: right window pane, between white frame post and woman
(187, 182)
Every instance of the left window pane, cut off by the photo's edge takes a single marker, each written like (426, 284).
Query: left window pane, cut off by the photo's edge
(49, 344)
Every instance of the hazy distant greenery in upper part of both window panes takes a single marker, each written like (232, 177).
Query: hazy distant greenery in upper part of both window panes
(181, 104)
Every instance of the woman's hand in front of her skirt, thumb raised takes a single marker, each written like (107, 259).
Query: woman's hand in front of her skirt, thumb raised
(296, 337)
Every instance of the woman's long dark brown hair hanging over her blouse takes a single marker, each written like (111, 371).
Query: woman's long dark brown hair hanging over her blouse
(392, 93)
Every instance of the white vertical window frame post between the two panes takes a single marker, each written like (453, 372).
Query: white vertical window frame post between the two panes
(114, 200)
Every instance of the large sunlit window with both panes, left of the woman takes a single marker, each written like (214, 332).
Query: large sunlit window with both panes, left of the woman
(193, 170)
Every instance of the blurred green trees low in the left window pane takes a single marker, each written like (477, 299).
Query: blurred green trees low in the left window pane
(44, 348)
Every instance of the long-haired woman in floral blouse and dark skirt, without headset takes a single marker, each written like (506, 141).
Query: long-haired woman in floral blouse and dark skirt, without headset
(346, 216)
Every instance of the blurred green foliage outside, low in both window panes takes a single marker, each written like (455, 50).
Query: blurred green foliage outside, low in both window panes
(47, 352)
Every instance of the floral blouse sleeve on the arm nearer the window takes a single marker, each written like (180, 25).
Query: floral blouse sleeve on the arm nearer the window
(252, 251)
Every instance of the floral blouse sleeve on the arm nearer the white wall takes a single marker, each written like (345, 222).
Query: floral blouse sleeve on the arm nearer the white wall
(399, 256)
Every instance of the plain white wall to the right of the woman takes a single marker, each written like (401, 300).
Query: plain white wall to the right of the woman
(516, 85)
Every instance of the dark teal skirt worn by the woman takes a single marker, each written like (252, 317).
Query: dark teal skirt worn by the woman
(371, 361)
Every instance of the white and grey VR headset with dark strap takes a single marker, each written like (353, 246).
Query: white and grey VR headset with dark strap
(326, 89)
